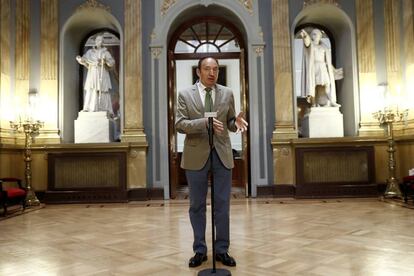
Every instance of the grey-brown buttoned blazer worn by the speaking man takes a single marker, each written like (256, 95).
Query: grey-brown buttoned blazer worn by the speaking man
(190, 121)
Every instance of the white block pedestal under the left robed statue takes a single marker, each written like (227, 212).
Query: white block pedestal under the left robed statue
(94, 127)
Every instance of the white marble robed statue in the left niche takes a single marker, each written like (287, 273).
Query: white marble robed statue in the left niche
(98, 83)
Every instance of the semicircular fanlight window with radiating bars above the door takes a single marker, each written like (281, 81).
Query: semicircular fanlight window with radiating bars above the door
(207, 37)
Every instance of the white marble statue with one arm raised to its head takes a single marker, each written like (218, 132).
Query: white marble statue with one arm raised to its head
(318, 73)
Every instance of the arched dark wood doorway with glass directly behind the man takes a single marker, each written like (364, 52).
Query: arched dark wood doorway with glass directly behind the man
(193, 39)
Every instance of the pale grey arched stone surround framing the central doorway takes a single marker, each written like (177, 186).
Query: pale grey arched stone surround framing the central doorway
(258, 55)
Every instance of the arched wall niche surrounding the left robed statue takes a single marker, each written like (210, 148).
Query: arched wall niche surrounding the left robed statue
(84, 22)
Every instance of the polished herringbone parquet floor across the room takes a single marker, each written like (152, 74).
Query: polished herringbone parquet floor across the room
(268, 237)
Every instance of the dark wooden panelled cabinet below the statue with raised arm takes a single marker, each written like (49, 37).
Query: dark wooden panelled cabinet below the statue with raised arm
(335, 172)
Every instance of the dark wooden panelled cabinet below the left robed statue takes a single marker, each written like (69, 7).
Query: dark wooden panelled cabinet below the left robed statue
(86, 177)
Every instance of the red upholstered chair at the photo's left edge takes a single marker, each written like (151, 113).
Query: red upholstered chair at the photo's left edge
(11, 193)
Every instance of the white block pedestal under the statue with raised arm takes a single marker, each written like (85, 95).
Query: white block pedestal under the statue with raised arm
(323, 122)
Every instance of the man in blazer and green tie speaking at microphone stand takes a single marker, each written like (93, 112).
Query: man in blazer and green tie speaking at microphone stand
(208, 96)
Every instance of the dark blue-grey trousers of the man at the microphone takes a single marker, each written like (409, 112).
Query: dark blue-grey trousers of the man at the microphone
(198, 187)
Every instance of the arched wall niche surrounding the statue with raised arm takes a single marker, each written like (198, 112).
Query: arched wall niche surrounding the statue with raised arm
(337, 24)
